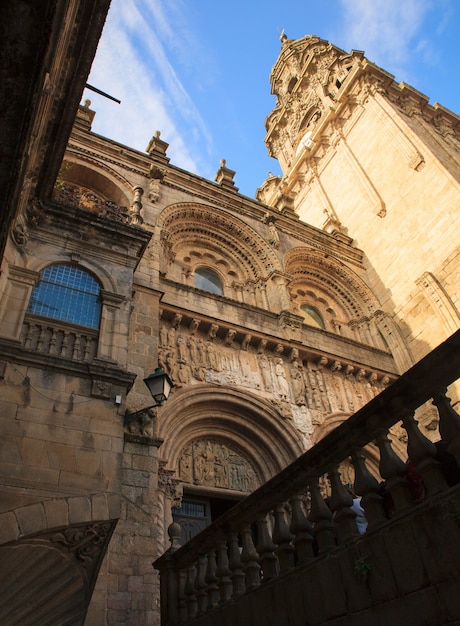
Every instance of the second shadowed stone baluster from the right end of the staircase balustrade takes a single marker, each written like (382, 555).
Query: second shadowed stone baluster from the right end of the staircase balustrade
(423, 453)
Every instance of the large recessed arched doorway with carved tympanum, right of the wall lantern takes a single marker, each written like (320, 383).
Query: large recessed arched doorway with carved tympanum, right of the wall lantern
(220, 444)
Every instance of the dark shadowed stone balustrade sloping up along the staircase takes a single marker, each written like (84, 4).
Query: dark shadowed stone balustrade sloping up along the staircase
(284, 528)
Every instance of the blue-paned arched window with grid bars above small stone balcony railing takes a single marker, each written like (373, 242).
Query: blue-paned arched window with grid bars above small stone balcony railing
(69, 294)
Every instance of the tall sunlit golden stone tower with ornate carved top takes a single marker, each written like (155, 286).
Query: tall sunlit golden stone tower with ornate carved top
(371, 160)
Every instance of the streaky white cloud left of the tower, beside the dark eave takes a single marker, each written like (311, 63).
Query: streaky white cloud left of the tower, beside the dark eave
(135, 63)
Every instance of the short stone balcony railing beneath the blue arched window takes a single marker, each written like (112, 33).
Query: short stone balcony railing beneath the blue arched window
(53, 338)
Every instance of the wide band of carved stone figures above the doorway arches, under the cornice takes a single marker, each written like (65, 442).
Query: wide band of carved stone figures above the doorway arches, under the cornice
(303, 390)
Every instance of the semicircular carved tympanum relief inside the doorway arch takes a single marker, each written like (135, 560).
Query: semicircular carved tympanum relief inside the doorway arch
(214, 464)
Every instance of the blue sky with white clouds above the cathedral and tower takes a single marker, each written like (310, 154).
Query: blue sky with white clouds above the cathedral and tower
(198, 70)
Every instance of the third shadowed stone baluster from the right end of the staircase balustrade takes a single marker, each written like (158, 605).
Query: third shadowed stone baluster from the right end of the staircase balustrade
(393, 470)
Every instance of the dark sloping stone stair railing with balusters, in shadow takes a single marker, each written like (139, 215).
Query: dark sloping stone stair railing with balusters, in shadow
(286, 528)
